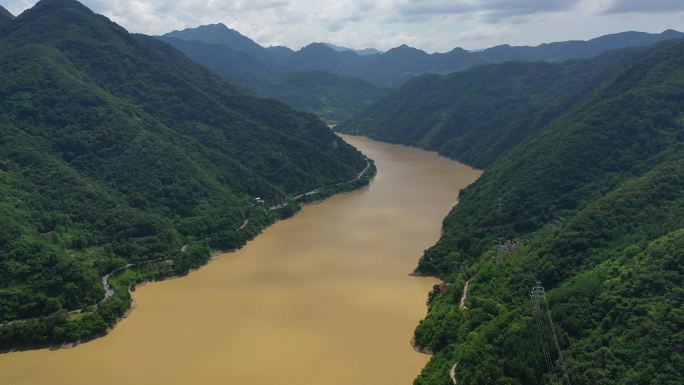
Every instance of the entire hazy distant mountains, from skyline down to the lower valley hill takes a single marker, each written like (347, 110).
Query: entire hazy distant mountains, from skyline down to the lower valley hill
(336, 96)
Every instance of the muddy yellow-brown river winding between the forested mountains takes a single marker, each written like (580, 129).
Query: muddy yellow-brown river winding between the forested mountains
(323, 298)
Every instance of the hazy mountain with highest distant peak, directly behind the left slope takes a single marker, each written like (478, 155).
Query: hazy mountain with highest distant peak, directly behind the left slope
(331, 96)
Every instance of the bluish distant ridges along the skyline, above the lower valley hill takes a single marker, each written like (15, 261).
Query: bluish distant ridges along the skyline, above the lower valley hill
(401, 63)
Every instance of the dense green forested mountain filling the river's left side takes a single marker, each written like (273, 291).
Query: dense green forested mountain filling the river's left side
(117, 149)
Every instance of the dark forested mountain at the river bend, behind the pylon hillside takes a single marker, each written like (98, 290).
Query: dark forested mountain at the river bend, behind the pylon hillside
(478, 114)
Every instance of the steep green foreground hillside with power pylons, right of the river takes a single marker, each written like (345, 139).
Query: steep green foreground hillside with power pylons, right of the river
(591, 206)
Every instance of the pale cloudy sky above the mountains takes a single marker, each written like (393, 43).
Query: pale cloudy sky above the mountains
(432, 25)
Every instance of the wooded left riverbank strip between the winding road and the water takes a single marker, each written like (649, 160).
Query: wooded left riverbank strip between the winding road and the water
(95, 321)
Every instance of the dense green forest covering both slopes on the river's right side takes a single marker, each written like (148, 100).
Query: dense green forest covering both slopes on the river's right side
(589, 190)
